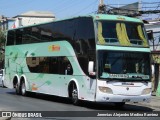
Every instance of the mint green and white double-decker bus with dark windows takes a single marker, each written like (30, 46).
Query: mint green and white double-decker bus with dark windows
(99, 58)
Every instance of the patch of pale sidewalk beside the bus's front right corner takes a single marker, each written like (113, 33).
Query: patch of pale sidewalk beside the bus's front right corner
(155, 102)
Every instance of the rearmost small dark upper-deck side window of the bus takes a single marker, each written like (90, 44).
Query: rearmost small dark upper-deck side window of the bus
(11, 37)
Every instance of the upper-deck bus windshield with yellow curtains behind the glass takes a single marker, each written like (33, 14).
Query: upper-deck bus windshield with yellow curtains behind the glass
(121, 33)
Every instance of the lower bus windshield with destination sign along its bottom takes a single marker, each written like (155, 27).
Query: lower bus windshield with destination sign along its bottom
(123, 65)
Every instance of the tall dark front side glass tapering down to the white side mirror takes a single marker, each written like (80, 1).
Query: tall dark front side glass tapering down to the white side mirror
(85, 42)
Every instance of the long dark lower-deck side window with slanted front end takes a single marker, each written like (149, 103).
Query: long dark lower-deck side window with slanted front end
(49, 65)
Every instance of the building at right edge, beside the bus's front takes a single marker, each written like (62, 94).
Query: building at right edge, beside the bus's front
(154, 26)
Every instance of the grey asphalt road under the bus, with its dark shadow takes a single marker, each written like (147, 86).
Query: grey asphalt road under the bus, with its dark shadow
(9, 101)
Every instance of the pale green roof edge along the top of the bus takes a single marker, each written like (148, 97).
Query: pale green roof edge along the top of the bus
(95, 17)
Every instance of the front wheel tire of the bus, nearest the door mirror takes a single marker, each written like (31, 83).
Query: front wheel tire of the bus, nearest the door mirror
(74, 94)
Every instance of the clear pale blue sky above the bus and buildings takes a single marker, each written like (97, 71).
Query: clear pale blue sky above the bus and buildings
(60, 8)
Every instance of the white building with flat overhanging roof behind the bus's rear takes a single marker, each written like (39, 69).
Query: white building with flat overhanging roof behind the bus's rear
(32, 17)
